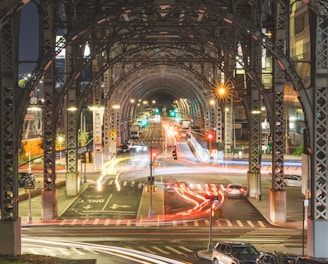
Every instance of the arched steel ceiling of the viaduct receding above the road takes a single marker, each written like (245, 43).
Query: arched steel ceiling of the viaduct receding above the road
(163, 49)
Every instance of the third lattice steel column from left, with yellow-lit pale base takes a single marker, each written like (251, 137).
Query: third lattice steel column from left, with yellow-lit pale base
(72, 175)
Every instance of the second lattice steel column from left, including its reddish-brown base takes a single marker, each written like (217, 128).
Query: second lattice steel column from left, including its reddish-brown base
(49, 192)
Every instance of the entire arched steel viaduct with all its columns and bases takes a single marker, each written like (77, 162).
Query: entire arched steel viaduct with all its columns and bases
(168, 50)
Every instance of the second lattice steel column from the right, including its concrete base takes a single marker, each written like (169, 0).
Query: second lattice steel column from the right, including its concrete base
(277, 192)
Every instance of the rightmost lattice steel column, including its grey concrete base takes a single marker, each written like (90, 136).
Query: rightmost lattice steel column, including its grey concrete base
(318, 223)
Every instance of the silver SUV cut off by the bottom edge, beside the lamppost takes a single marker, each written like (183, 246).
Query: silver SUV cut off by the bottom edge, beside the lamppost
(234, 253)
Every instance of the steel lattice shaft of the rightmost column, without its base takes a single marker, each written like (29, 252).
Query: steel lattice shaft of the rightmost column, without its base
(319, 167)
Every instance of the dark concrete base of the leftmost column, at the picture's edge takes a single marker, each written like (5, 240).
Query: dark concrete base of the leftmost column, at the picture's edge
(10, 238)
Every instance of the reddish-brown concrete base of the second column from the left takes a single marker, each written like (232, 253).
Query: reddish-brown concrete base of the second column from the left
(49, 205)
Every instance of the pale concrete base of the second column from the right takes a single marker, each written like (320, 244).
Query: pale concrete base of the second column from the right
(278, 207)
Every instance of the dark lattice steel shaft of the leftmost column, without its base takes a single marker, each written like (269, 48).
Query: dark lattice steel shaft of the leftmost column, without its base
(8, 130)
